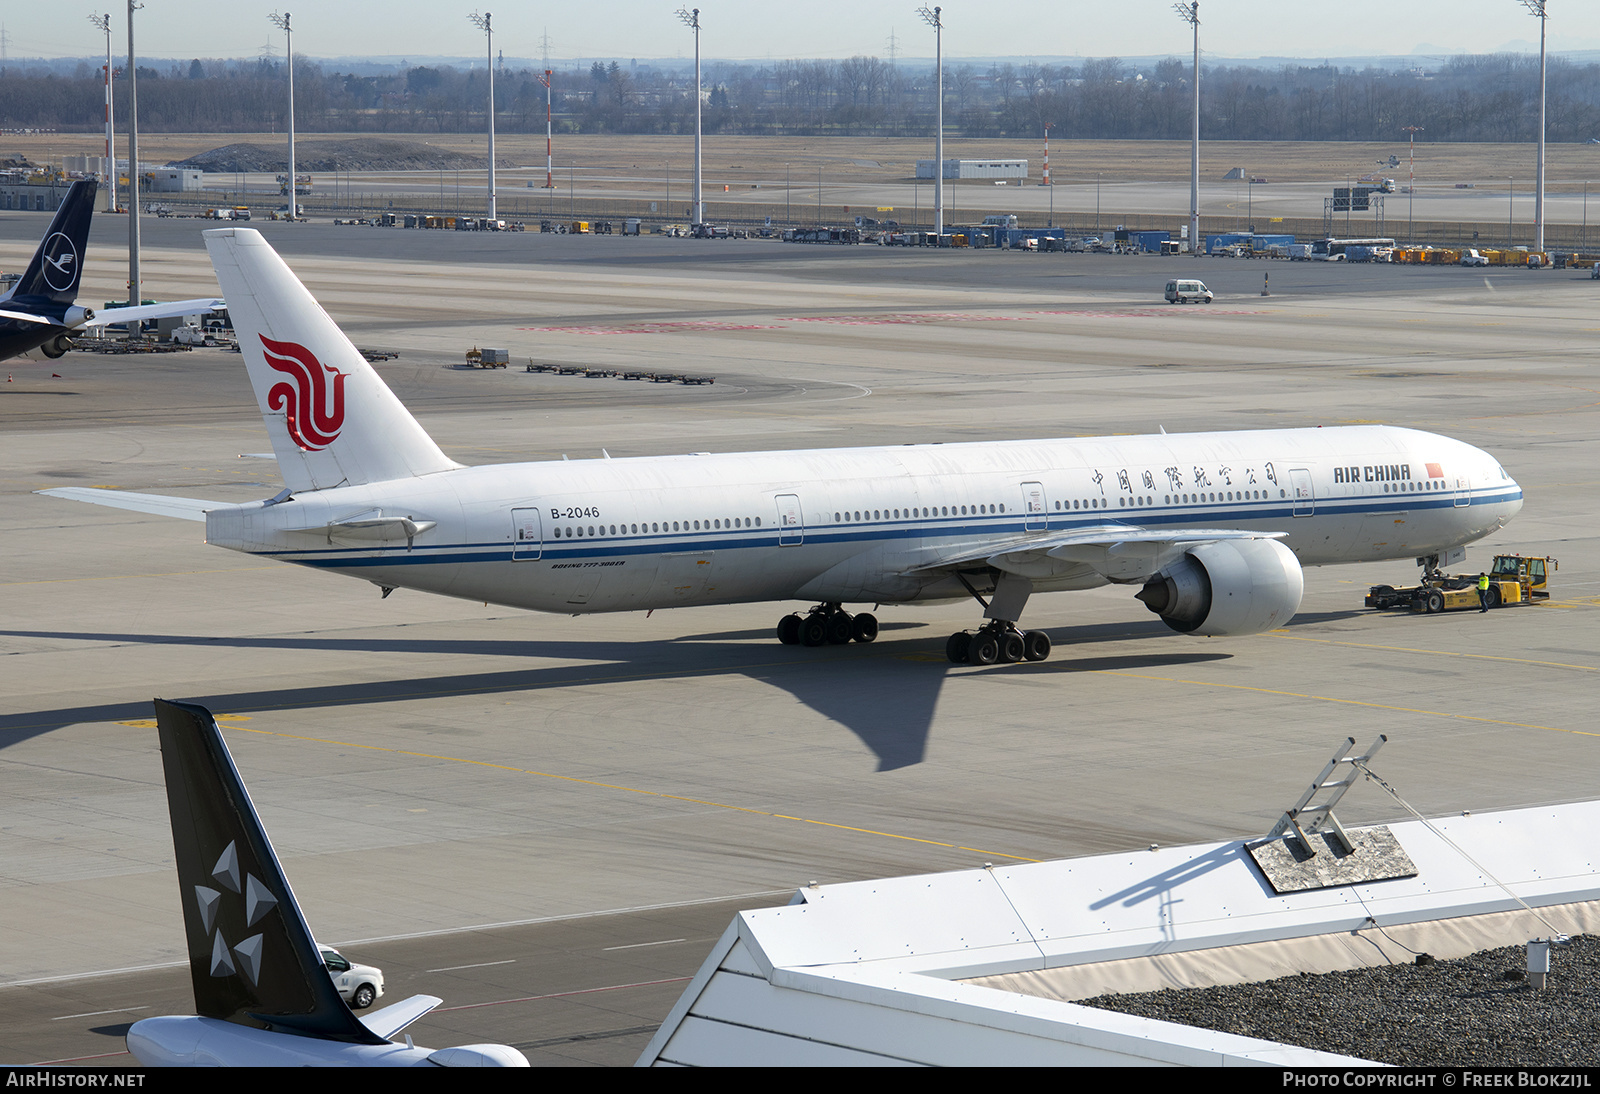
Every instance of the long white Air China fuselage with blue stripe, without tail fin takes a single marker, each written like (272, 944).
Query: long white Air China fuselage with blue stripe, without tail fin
(858, 524)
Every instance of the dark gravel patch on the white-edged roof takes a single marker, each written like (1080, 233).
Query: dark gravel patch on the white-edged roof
(1471, 1012)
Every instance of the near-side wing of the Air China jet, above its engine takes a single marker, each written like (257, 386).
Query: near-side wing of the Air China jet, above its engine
(1118, 553)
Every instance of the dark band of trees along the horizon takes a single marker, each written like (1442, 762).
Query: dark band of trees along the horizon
(1468, 98)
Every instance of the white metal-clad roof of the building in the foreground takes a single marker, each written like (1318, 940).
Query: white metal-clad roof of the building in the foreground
(978, 967)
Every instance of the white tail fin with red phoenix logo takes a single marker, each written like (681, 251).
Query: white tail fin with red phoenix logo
(330, 417)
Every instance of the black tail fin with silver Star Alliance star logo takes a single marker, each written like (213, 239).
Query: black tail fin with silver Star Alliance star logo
(252, 957)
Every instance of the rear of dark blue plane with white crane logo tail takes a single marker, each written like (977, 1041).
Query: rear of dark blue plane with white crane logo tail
(41, 313)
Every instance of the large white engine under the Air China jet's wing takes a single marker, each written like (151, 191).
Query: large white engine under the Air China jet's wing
(1228, 588)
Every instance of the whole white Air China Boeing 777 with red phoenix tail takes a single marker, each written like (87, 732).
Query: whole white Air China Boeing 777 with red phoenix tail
(1214, 529)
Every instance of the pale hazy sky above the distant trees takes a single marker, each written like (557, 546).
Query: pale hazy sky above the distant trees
(182, 30)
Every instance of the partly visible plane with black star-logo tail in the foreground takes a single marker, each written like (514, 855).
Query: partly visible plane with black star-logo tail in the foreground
(260, 983)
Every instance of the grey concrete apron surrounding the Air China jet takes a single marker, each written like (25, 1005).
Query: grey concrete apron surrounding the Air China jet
(551, 818)
